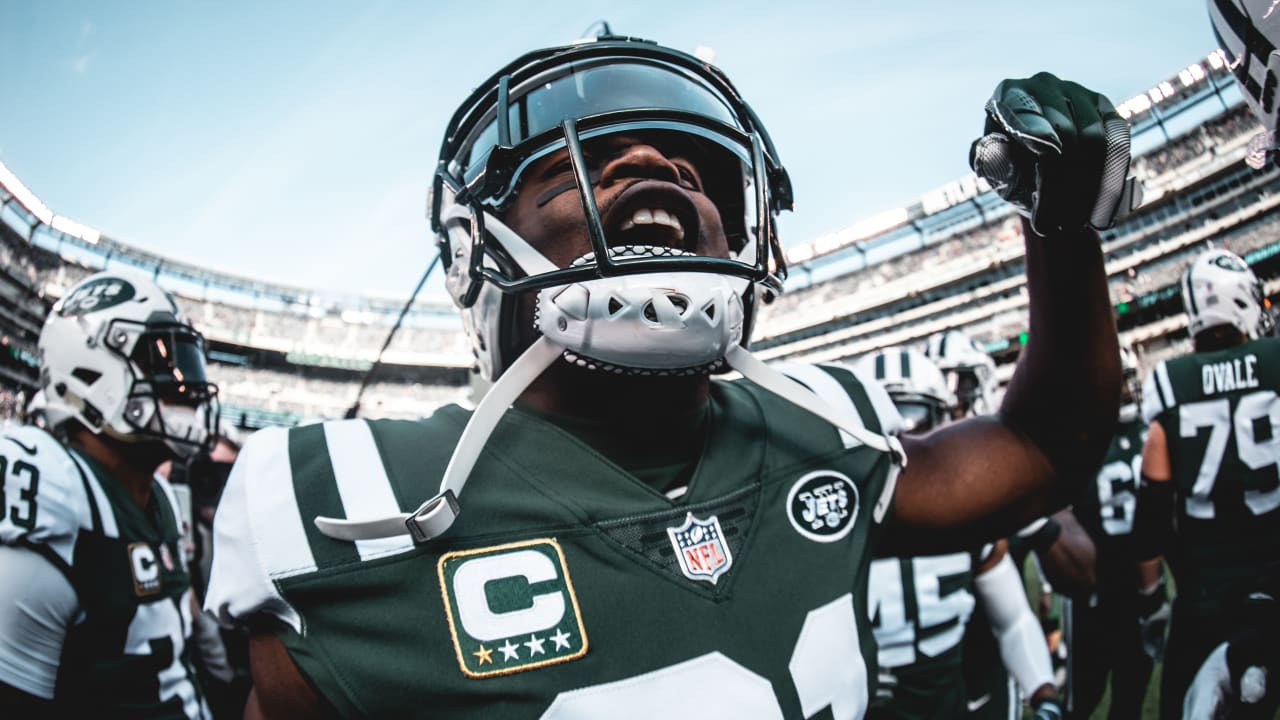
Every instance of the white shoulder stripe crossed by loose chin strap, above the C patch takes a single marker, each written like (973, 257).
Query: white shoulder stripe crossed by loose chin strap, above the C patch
(363, 484)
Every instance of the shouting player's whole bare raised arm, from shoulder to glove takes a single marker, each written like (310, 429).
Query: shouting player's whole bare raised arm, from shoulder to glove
(982, 479)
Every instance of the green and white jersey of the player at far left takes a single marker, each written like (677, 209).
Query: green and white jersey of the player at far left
(127, 653)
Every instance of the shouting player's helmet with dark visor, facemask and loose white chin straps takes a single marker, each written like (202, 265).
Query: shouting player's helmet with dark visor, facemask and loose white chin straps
(627, 302)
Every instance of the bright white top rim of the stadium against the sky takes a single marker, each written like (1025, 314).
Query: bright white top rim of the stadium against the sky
(1155, 116)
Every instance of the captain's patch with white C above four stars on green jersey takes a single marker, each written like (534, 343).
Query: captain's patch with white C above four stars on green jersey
(511, 608)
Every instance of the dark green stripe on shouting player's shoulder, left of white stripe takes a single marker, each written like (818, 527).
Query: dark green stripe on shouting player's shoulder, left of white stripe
(310, 462)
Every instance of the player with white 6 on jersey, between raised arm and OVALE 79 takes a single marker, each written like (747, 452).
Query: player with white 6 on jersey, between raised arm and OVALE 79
(1105, 636)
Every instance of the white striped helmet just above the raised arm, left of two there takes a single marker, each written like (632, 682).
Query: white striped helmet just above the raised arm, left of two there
(917, 386)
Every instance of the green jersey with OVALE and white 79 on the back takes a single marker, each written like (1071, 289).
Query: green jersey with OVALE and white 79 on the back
(1222, 418)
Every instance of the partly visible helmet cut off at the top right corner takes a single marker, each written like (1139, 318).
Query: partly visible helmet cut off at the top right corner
(1249, 33)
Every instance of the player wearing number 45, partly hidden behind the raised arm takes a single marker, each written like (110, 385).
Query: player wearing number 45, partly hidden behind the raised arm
(920, 607)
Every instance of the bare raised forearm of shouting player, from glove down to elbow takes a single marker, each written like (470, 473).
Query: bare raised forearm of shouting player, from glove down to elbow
(1066, 393)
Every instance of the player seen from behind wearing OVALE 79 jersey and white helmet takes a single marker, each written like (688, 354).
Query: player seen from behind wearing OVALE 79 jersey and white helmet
(1210, 499)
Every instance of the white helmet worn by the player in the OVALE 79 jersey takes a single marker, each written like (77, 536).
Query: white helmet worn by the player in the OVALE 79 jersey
(1219, 289)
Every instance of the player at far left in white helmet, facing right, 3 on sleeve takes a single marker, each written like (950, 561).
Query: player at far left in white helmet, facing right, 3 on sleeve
(95, 598)
